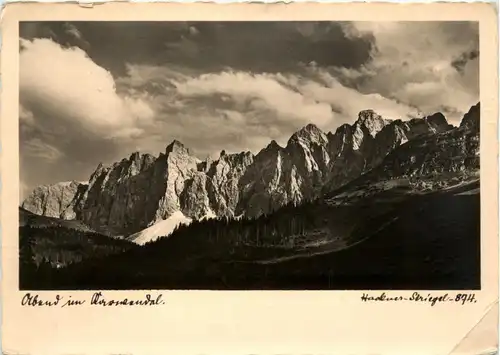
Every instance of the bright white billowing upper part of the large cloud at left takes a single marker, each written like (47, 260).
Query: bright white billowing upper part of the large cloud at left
(67, 84)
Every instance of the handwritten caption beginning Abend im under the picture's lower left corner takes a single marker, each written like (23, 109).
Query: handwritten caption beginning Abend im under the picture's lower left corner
(97, 299)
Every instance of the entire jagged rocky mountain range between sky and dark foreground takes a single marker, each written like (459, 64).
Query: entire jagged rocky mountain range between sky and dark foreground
(142, 190)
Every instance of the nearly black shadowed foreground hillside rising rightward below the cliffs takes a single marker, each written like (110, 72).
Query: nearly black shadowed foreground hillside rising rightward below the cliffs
(394, 241)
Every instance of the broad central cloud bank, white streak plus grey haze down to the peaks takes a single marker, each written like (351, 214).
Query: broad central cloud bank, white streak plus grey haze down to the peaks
(235, 110)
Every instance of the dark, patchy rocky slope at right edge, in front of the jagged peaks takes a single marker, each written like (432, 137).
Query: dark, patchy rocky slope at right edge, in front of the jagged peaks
(428, 162)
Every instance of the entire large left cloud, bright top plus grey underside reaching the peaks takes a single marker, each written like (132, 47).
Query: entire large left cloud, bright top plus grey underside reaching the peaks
(71, 114)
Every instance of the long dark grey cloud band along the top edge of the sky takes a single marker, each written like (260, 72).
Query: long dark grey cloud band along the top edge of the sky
(210, 46)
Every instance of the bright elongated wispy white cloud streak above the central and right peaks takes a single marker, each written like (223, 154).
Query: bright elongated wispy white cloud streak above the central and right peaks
(297, 100)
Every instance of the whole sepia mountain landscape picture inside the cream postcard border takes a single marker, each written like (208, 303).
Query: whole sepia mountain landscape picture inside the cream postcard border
(246, 155)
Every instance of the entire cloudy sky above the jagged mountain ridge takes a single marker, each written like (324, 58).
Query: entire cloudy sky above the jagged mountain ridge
(94, 92)
